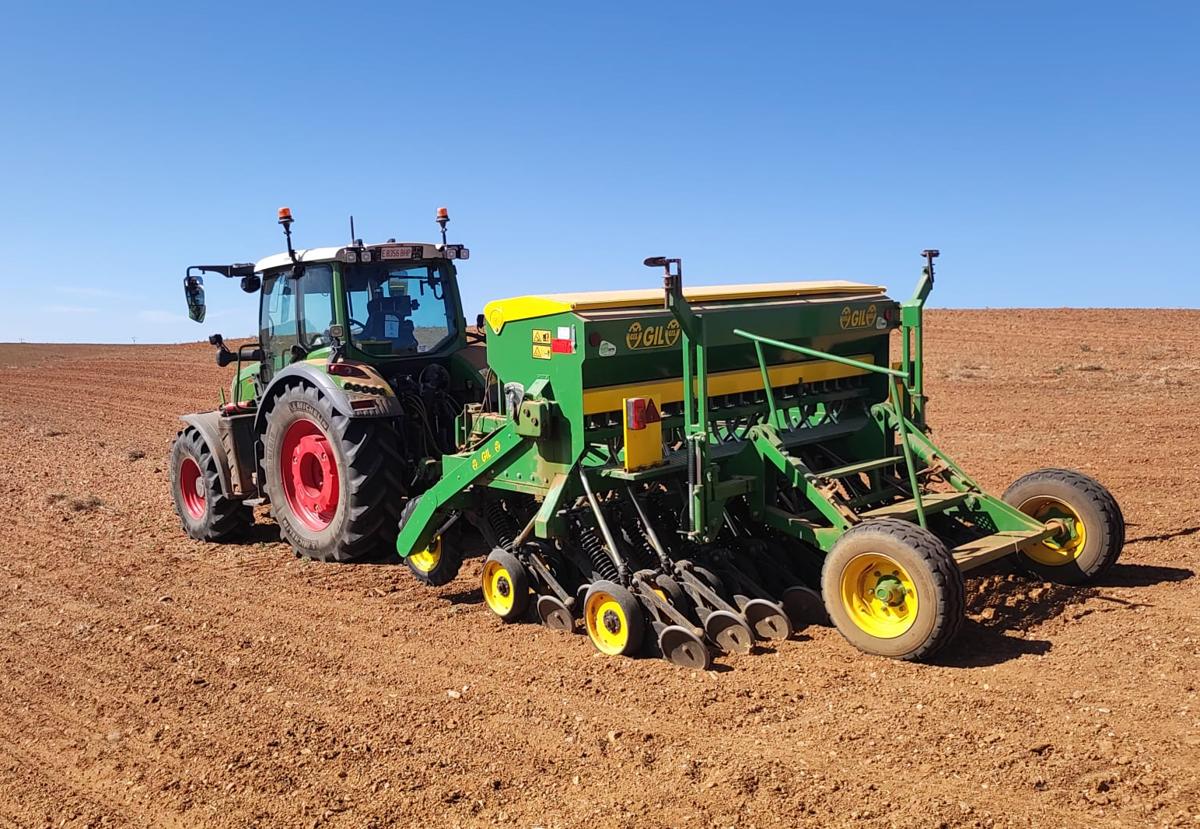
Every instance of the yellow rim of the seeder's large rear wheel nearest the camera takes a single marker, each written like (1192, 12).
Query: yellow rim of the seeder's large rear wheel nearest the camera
(879, 596)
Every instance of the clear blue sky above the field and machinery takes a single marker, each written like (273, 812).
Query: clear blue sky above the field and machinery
(1051, 151)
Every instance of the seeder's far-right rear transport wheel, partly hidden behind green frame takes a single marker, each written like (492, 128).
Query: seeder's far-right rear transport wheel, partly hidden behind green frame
(1093, 526)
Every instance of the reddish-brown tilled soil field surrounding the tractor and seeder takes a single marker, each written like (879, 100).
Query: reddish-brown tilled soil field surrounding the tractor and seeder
(153, 681)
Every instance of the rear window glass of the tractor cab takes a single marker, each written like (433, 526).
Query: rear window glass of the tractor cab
(399, 310)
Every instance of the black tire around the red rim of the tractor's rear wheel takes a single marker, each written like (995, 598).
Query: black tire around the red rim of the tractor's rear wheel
(367, 516)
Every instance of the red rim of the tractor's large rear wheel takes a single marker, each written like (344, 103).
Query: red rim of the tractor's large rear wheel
(309, 472)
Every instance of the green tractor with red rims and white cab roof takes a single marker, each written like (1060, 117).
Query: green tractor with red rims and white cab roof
(339, 412)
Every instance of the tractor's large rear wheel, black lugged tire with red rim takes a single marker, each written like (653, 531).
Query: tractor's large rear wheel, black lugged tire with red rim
(331, 478)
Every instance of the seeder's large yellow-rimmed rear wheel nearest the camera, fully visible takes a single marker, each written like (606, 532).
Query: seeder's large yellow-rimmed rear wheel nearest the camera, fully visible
(893, 590)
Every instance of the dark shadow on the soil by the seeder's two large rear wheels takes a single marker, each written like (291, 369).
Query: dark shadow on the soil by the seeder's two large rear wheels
(1003, 606)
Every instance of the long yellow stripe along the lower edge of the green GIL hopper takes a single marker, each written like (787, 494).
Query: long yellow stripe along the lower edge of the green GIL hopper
(613, 399)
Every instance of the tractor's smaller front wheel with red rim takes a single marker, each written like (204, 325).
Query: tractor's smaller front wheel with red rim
(205, 510)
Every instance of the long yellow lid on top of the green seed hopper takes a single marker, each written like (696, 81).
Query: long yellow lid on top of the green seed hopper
(499, 313)
